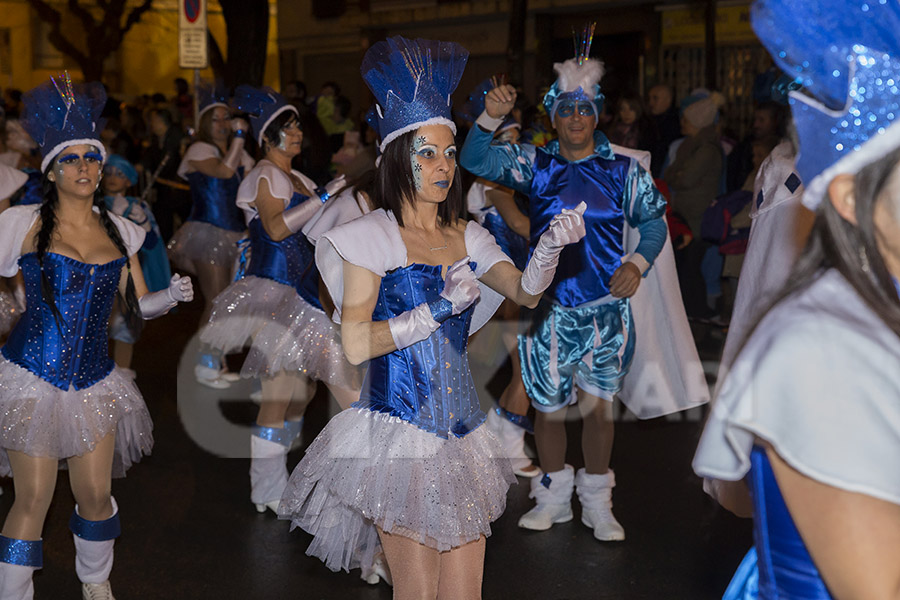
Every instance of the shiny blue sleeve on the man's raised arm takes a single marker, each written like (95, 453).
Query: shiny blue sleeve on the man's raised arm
(511, 165)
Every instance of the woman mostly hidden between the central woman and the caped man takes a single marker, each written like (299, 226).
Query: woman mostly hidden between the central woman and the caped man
(496, 208)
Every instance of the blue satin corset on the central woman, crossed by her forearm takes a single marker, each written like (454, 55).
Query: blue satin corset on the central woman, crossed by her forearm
(427, 384)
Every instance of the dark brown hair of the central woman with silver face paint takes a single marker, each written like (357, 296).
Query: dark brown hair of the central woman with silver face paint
(394, 183)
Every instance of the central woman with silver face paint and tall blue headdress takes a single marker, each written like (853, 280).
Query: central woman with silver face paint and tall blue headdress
(409, 467)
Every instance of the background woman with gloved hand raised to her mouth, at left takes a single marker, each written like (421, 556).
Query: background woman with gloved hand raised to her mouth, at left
(207, 244)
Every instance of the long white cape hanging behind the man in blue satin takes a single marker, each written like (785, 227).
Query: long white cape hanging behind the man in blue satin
(666, 375)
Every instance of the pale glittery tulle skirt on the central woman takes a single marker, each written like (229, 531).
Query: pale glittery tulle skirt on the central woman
(368, 469)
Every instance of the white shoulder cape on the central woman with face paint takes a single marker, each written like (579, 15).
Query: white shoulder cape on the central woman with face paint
(373, 242)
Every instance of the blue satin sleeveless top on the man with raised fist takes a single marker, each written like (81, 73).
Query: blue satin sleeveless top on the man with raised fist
(585, 268)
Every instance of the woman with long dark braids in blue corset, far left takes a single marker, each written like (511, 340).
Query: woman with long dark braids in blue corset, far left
(61, 396)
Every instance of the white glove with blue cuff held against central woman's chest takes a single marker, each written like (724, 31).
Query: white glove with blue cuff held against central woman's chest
(460, 292)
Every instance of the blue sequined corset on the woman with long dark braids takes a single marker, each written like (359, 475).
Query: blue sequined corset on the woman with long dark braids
(73, 350)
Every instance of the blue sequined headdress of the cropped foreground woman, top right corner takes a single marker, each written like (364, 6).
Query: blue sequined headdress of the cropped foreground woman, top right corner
(847, 55)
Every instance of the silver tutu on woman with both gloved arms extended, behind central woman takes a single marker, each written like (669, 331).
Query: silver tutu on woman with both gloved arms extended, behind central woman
(285, 332)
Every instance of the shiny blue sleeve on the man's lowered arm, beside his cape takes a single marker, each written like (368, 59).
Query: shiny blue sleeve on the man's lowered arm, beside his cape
(645, 210)
